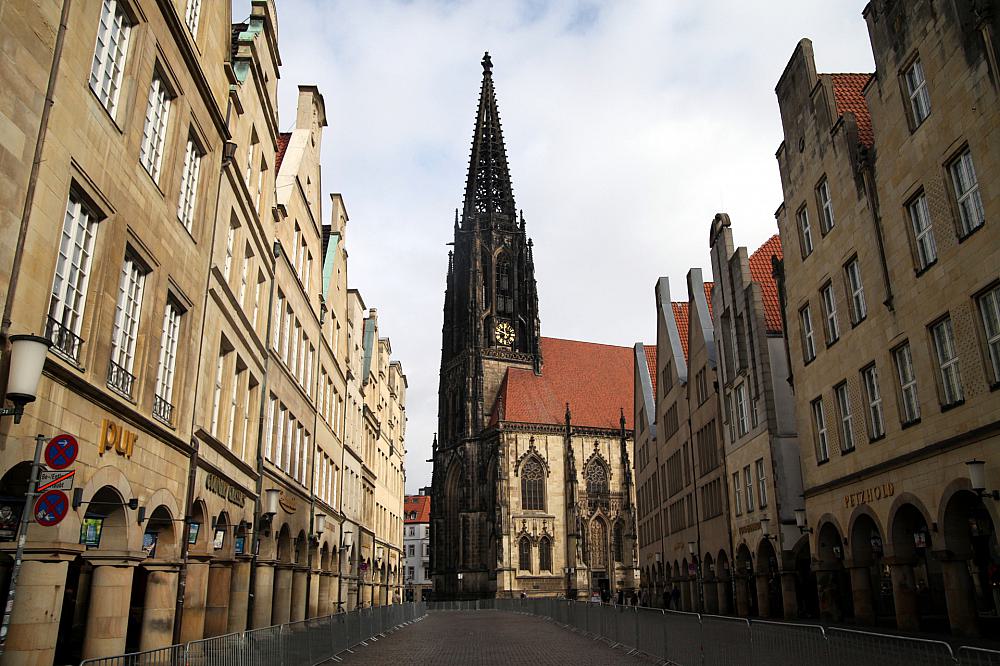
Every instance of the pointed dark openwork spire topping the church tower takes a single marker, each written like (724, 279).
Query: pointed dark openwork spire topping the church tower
(489, 198)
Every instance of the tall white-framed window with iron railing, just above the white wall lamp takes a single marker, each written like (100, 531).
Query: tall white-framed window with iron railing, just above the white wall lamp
(71, 278)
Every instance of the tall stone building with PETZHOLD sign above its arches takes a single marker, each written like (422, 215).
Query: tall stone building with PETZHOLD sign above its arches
(891, 301)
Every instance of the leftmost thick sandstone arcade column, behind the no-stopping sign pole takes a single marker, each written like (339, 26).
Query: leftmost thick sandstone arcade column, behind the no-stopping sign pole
(34, 620)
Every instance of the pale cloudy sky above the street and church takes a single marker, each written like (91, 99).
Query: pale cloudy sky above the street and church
(628, 125)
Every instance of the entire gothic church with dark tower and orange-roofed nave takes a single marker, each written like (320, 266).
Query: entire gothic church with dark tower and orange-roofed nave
(533, 463)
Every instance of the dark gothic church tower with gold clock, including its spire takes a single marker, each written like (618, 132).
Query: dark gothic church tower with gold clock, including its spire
(490, 323)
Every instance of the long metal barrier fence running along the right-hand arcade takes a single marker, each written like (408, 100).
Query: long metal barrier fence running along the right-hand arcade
(694, 639)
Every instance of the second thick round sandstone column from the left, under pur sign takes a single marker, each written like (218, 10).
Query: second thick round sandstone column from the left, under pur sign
(110, 594)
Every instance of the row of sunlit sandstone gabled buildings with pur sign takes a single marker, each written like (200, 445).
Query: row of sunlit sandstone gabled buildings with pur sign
(181, 215)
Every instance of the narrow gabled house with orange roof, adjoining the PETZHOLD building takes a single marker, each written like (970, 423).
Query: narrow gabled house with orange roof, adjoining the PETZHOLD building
(772, 572)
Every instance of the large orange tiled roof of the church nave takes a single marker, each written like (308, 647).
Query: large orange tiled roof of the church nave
(596, 380)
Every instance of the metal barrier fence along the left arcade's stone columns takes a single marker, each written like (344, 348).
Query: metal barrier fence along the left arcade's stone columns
(304, 643)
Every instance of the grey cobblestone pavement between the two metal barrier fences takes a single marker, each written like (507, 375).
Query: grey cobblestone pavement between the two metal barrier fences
(487, 637)
